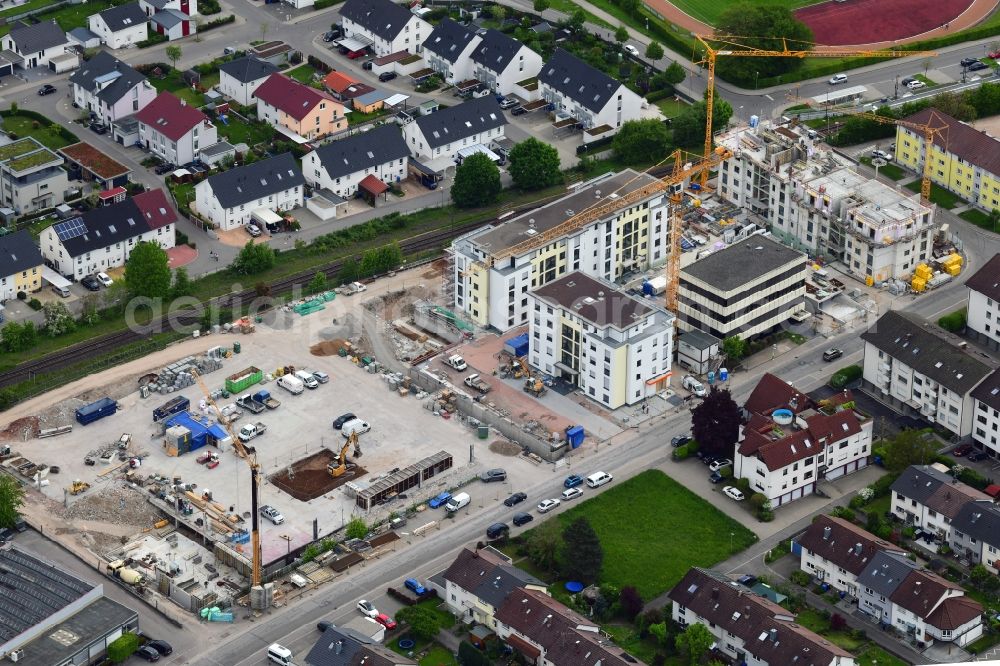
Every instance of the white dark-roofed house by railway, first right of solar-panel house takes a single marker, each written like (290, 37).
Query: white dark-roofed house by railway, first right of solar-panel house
(229, 198)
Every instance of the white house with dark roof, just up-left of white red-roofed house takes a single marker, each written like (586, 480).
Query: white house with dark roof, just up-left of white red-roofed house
(110, 89)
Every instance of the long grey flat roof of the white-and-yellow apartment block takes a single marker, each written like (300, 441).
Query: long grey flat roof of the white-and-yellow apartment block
(551, 215)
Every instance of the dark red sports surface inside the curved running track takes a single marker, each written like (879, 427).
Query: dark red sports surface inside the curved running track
(869, 21)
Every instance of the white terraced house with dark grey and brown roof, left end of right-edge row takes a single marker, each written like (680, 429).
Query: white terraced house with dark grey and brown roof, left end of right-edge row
(928, 497)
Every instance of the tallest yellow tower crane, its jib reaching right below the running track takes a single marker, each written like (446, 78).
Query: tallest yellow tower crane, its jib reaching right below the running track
(729, 46)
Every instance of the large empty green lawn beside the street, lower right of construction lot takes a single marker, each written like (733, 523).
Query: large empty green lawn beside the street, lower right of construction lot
(678, 530)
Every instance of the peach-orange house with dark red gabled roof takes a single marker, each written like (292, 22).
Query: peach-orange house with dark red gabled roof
(298, 111)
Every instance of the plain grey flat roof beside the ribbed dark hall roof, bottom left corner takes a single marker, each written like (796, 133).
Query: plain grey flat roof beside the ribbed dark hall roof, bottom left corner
(76, 633)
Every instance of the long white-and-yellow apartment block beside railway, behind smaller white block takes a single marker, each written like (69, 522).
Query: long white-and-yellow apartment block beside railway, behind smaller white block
(629, 239)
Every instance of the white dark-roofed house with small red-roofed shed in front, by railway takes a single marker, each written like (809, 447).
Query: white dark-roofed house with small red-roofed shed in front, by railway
(341, 165)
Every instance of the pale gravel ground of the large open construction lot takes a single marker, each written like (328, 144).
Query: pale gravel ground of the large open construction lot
(403, 432)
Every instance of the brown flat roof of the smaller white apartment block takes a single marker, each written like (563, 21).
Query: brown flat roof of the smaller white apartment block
(597, 302)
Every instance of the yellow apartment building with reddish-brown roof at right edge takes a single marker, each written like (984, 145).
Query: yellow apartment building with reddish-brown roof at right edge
(966, 160)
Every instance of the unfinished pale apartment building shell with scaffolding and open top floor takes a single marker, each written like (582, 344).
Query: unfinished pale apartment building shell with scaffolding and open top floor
(816, 201)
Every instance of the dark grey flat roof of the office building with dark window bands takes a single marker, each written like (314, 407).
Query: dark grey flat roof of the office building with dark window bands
(742, 262)
